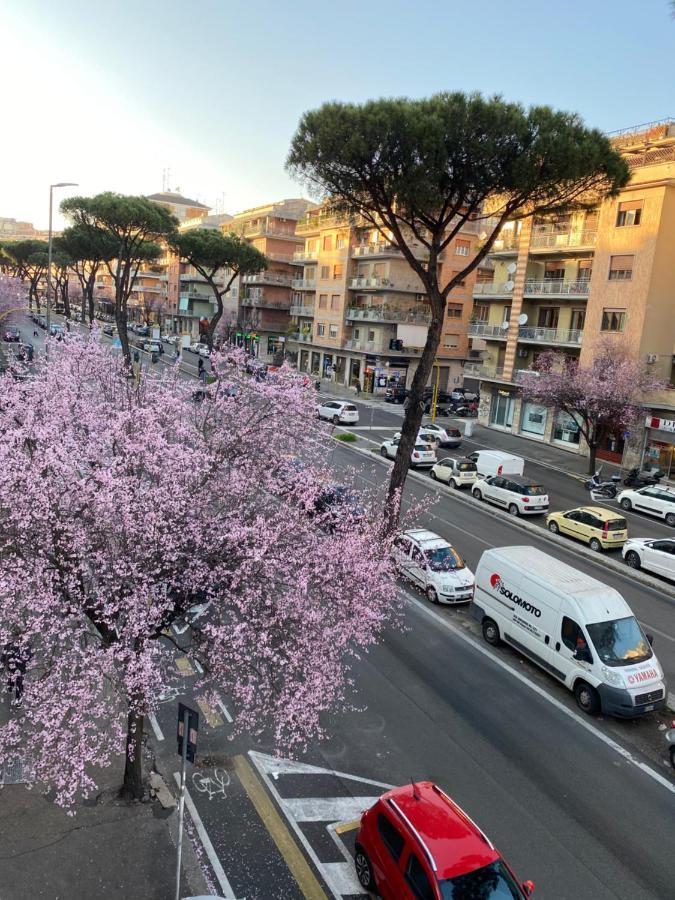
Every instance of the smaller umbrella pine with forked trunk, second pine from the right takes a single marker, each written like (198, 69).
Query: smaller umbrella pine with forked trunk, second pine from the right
(219, 258)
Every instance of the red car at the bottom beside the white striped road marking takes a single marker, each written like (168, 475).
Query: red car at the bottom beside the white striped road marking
(415, 843)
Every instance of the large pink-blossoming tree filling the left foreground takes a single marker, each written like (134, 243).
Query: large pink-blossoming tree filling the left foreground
(132, 505)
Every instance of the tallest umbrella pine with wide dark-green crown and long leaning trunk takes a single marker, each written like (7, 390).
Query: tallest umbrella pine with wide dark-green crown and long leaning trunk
(419, 171)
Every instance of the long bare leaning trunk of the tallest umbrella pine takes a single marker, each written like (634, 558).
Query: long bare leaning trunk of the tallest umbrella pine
(413, 414)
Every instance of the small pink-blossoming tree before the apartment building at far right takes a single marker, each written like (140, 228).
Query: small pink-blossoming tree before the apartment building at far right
(606, 397)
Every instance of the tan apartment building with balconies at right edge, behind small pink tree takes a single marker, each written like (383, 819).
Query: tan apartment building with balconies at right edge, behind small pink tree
(563, 282)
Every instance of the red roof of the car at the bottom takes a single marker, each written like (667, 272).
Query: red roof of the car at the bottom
(455, 842)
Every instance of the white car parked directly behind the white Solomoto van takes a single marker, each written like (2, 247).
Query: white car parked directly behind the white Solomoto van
(430, 562)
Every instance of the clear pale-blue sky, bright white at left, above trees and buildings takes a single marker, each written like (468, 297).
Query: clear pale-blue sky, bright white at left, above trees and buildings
(110, 94)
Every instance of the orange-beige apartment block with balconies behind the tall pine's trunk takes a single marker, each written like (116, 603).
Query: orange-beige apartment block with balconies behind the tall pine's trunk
(361, 313)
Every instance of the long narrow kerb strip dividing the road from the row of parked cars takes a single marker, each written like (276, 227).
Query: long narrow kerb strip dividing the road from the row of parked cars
(667, 590)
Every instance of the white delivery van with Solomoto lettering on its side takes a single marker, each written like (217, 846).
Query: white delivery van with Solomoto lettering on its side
(576, 628)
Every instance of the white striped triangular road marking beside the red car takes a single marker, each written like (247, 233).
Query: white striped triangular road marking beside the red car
(319, 797)
